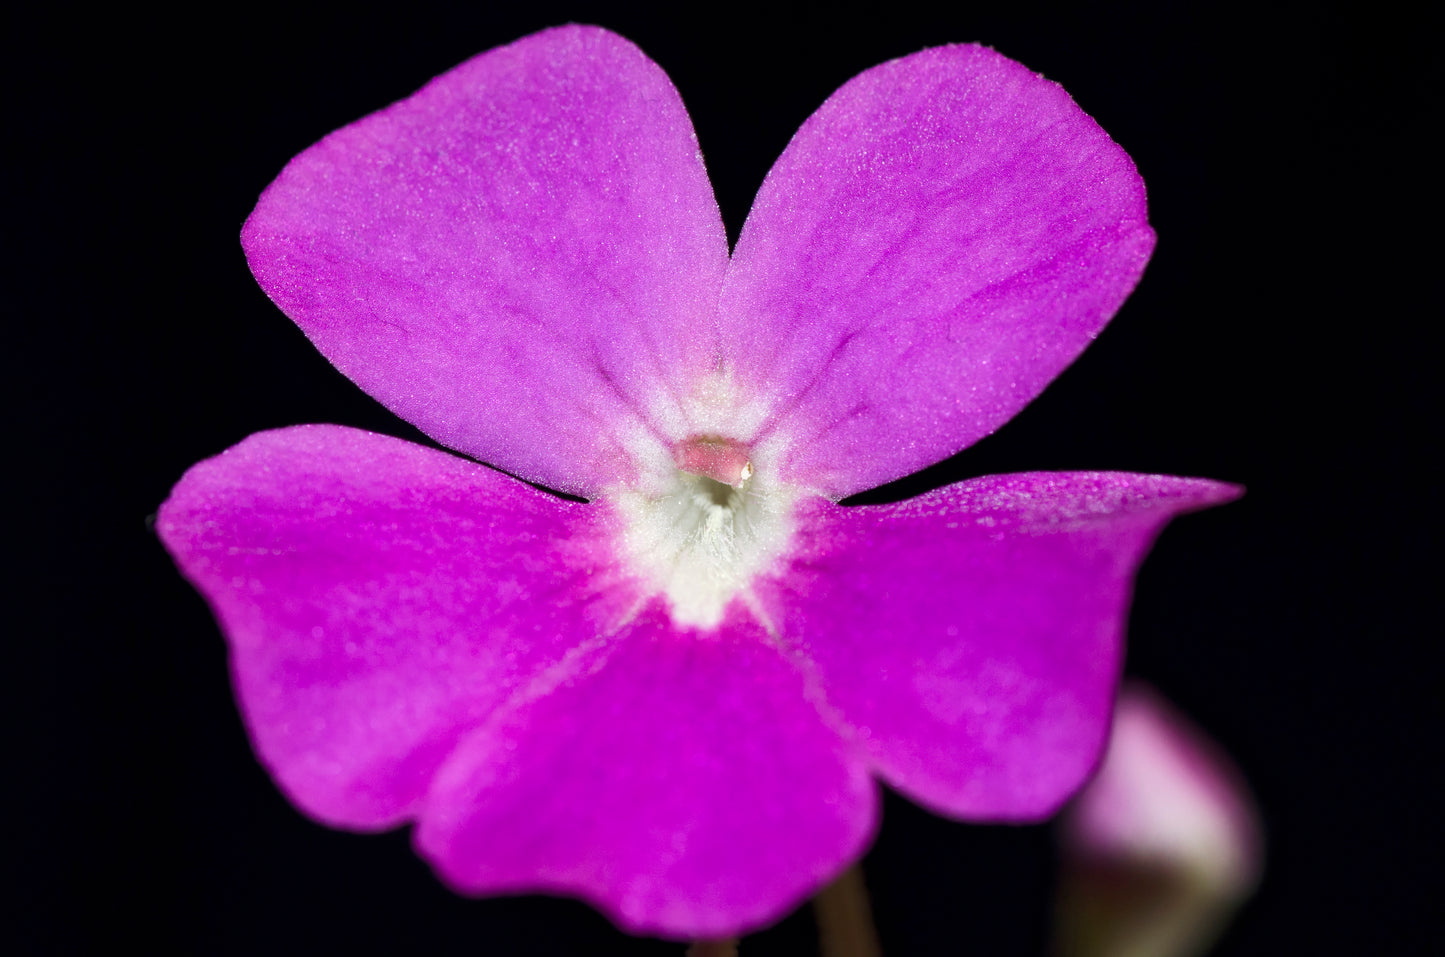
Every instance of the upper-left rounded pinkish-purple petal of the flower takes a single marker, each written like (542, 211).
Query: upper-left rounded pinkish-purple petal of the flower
(517, 259)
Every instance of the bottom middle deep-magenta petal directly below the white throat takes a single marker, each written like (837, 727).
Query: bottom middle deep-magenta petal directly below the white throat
(689, 789)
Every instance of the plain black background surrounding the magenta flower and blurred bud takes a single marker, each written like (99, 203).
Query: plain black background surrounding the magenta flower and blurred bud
(1280, 340)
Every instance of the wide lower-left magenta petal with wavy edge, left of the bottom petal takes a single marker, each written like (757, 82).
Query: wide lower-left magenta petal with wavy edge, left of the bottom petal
(381, 599)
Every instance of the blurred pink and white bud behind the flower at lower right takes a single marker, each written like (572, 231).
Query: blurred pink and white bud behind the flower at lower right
(1163, 846)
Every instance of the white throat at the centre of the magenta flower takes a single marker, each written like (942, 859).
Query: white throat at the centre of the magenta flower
(707, 530)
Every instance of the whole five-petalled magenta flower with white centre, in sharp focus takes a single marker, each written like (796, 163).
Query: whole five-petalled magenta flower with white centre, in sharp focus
(674, 700)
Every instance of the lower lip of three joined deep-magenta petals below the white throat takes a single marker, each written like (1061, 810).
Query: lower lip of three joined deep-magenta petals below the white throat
(415, 637)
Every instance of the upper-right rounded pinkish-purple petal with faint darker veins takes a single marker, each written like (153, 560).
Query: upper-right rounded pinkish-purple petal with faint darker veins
(937, 244)
